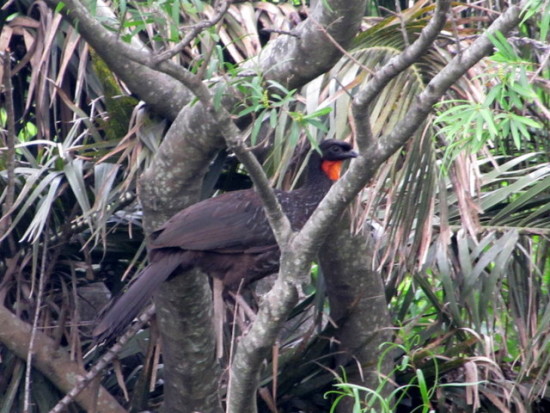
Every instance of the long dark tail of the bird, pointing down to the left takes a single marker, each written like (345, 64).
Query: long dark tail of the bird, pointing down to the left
(120, 312)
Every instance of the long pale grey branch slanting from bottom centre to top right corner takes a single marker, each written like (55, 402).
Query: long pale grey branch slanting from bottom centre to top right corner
(297, 257)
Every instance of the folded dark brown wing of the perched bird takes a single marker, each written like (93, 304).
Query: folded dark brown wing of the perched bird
(231, 223)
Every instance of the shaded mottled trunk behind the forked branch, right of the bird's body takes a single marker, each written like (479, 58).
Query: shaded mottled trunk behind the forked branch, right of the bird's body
(358, 306)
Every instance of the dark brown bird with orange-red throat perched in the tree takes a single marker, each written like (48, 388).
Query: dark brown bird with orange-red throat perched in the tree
(228, 237)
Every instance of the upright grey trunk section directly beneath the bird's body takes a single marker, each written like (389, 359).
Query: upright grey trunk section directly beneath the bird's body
(191, 371)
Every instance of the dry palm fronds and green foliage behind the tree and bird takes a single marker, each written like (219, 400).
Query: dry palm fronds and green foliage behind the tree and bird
(458, 220)
